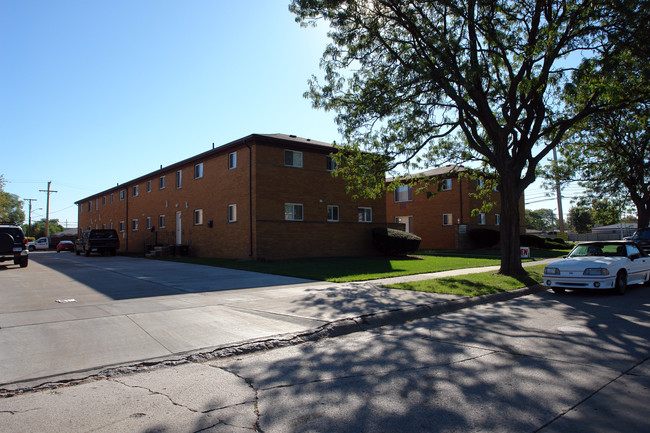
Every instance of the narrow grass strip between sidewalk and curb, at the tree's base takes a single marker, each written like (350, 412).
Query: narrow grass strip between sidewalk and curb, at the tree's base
(475, 284)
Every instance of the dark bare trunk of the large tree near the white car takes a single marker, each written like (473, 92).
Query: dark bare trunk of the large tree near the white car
(510, 225)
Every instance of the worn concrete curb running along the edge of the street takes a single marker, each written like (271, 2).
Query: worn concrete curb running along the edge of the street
(332, 329)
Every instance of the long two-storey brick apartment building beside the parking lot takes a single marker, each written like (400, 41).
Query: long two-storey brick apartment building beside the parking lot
(259, 197)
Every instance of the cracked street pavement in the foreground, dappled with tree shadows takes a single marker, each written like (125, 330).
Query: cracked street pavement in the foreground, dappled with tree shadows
(532, 361)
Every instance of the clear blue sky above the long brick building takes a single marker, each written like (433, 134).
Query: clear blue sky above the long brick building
(97, 93)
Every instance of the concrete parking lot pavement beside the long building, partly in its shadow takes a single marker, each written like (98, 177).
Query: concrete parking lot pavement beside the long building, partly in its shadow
(67, 316)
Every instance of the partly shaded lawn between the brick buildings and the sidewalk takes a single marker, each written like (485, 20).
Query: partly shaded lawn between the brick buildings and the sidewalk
(346, 269)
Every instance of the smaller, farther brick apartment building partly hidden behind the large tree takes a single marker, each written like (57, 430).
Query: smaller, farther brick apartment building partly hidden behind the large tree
(444, 219)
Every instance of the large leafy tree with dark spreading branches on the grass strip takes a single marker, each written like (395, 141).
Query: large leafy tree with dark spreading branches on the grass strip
(431, 82)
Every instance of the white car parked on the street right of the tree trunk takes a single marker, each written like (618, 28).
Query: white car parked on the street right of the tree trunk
(599, 265)
